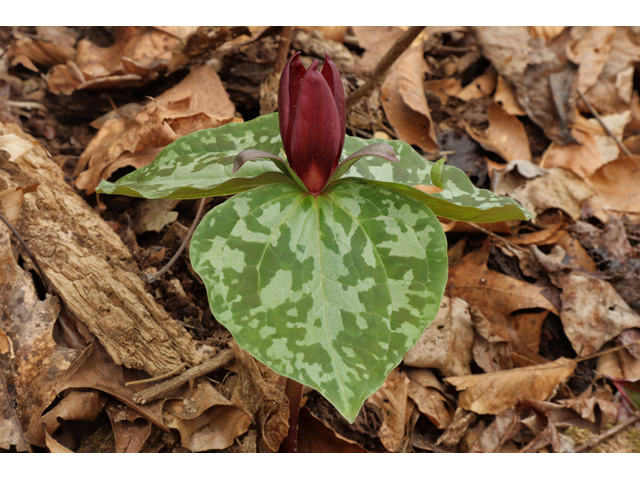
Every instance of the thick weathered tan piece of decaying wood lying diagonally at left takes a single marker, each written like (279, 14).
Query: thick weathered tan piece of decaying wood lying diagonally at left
(89, 267)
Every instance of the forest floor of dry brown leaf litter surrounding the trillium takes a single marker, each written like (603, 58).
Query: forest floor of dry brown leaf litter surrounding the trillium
(536, 347)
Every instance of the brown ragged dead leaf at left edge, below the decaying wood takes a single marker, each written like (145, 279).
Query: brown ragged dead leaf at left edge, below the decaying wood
(33, 375)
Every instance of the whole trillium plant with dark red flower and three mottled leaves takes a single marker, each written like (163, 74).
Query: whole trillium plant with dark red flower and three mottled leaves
(326, 264)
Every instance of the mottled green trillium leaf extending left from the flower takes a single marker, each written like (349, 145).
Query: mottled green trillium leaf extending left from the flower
(201, 164)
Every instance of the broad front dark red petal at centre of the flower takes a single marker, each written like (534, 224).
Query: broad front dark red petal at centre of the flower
(316, 138)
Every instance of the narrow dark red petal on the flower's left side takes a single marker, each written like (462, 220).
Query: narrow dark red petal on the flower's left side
(288, 90)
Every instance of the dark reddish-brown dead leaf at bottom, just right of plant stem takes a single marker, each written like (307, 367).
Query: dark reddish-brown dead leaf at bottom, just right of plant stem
(314, 436)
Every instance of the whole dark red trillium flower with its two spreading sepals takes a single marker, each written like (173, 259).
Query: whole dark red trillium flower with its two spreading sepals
(312, 117)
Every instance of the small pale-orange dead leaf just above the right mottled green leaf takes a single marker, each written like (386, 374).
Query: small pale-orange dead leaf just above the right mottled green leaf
(505, 136)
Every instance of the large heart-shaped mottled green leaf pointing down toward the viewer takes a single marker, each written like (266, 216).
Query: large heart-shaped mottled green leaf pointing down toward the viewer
(330, 290)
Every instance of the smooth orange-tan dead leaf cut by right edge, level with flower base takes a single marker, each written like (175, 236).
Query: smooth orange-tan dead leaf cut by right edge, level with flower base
(616, 188)
